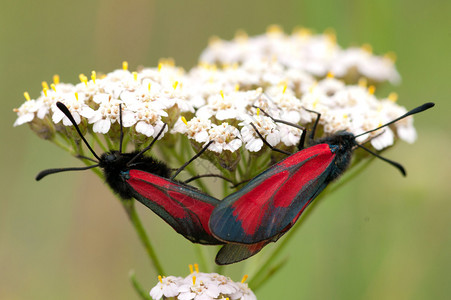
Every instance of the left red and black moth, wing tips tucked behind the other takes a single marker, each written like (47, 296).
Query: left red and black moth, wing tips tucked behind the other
(134, 175)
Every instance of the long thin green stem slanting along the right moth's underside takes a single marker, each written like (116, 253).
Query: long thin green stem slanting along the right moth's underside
(256, 280)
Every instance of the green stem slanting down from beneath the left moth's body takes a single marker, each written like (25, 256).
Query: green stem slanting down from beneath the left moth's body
(136, 222)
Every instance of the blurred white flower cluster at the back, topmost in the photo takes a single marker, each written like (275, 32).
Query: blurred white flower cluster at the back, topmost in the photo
(315, 54)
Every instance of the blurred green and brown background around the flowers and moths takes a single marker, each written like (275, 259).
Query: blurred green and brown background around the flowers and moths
(380, 237)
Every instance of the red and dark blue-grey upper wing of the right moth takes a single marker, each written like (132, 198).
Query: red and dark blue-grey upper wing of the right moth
(272, 200)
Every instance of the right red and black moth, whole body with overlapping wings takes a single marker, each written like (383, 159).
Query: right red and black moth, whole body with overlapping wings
(271, 203)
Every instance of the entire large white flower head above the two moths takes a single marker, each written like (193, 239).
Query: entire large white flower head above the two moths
(211, 103)
